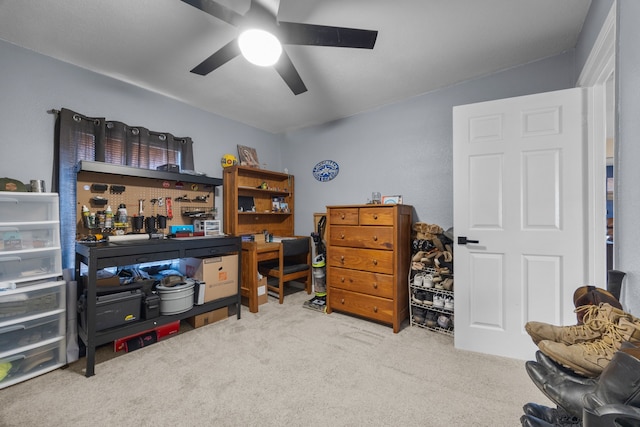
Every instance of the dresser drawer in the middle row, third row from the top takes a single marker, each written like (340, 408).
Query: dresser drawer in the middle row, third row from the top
(373, 260)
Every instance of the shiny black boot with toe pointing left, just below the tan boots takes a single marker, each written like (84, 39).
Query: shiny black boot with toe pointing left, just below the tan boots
(560, 387)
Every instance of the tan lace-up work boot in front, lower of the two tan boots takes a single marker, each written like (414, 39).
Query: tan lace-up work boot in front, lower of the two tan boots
(590, 358)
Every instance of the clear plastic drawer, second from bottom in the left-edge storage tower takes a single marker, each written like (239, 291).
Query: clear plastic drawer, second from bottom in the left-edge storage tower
(31, 330)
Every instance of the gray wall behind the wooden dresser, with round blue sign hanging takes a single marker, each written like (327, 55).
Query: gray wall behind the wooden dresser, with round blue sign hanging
(404, 148)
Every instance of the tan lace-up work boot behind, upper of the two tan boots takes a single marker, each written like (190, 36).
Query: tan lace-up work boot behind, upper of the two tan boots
(595, 318)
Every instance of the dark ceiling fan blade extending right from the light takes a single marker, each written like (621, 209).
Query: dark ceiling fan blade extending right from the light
(322, 35)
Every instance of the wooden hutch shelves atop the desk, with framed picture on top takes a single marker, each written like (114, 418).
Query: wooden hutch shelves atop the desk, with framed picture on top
(246, 181)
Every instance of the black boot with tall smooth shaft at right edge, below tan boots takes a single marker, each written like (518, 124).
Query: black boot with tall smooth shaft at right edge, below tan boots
(621, 384)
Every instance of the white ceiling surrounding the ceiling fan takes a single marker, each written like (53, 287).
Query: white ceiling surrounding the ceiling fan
(422, 45)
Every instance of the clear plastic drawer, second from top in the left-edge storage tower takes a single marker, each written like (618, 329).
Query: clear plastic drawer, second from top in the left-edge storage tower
(25, 236)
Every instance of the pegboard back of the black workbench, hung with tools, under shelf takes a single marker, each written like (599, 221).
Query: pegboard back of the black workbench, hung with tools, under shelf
(113, 203)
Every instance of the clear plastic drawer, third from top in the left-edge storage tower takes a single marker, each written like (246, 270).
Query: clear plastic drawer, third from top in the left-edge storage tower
(29, 264)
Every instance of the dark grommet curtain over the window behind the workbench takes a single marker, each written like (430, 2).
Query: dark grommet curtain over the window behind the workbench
(79, 137)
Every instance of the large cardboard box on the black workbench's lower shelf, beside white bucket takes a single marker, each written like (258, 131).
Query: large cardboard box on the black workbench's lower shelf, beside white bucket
(219, 274)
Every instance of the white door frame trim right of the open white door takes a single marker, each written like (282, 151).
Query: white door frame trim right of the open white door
(599, 66)
